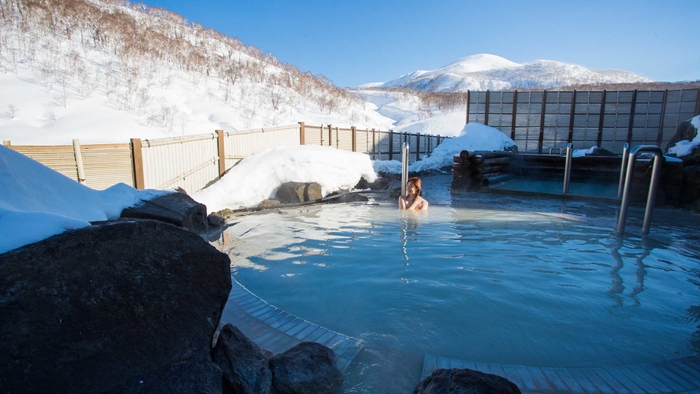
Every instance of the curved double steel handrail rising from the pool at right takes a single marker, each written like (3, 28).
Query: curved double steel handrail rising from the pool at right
(651, 199)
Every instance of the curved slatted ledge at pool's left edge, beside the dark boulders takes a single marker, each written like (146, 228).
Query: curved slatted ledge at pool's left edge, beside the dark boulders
(276, 330)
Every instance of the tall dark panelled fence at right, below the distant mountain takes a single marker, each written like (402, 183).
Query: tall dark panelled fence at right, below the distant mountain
(540, 120)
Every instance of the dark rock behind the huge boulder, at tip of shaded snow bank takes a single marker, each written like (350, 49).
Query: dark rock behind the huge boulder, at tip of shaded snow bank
(176, 208)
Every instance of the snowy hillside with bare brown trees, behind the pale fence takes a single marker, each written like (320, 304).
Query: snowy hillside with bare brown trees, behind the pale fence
(104, 72)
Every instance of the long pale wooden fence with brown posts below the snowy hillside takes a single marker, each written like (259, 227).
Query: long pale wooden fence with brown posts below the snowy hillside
(194, 162)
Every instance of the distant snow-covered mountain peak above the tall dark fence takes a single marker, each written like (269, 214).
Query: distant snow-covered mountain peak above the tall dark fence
(491, 72)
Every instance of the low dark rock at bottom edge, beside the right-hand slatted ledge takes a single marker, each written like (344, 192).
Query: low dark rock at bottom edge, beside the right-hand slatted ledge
(465, 381)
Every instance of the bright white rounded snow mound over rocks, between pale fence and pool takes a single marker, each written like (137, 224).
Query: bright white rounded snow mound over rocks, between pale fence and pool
(257, 177)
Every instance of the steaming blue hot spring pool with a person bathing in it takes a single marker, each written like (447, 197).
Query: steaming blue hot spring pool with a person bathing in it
(487, 278)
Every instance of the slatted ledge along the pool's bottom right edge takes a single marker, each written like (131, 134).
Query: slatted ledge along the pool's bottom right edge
(681, 375)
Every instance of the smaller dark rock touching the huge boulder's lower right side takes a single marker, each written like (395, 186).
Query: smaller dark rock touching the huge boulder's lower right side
(245, 367)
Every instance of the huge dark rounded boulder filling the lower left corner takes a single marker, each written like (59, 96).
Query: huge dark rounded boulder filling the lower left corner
(103, 308)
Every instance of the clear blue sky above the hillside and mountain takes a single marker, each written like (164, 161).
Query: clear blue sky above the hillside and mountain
(353, 42)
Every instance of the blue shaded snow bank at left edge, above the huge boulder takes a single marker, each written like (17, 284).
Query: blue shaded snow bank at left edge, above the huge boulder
(37, 202)
